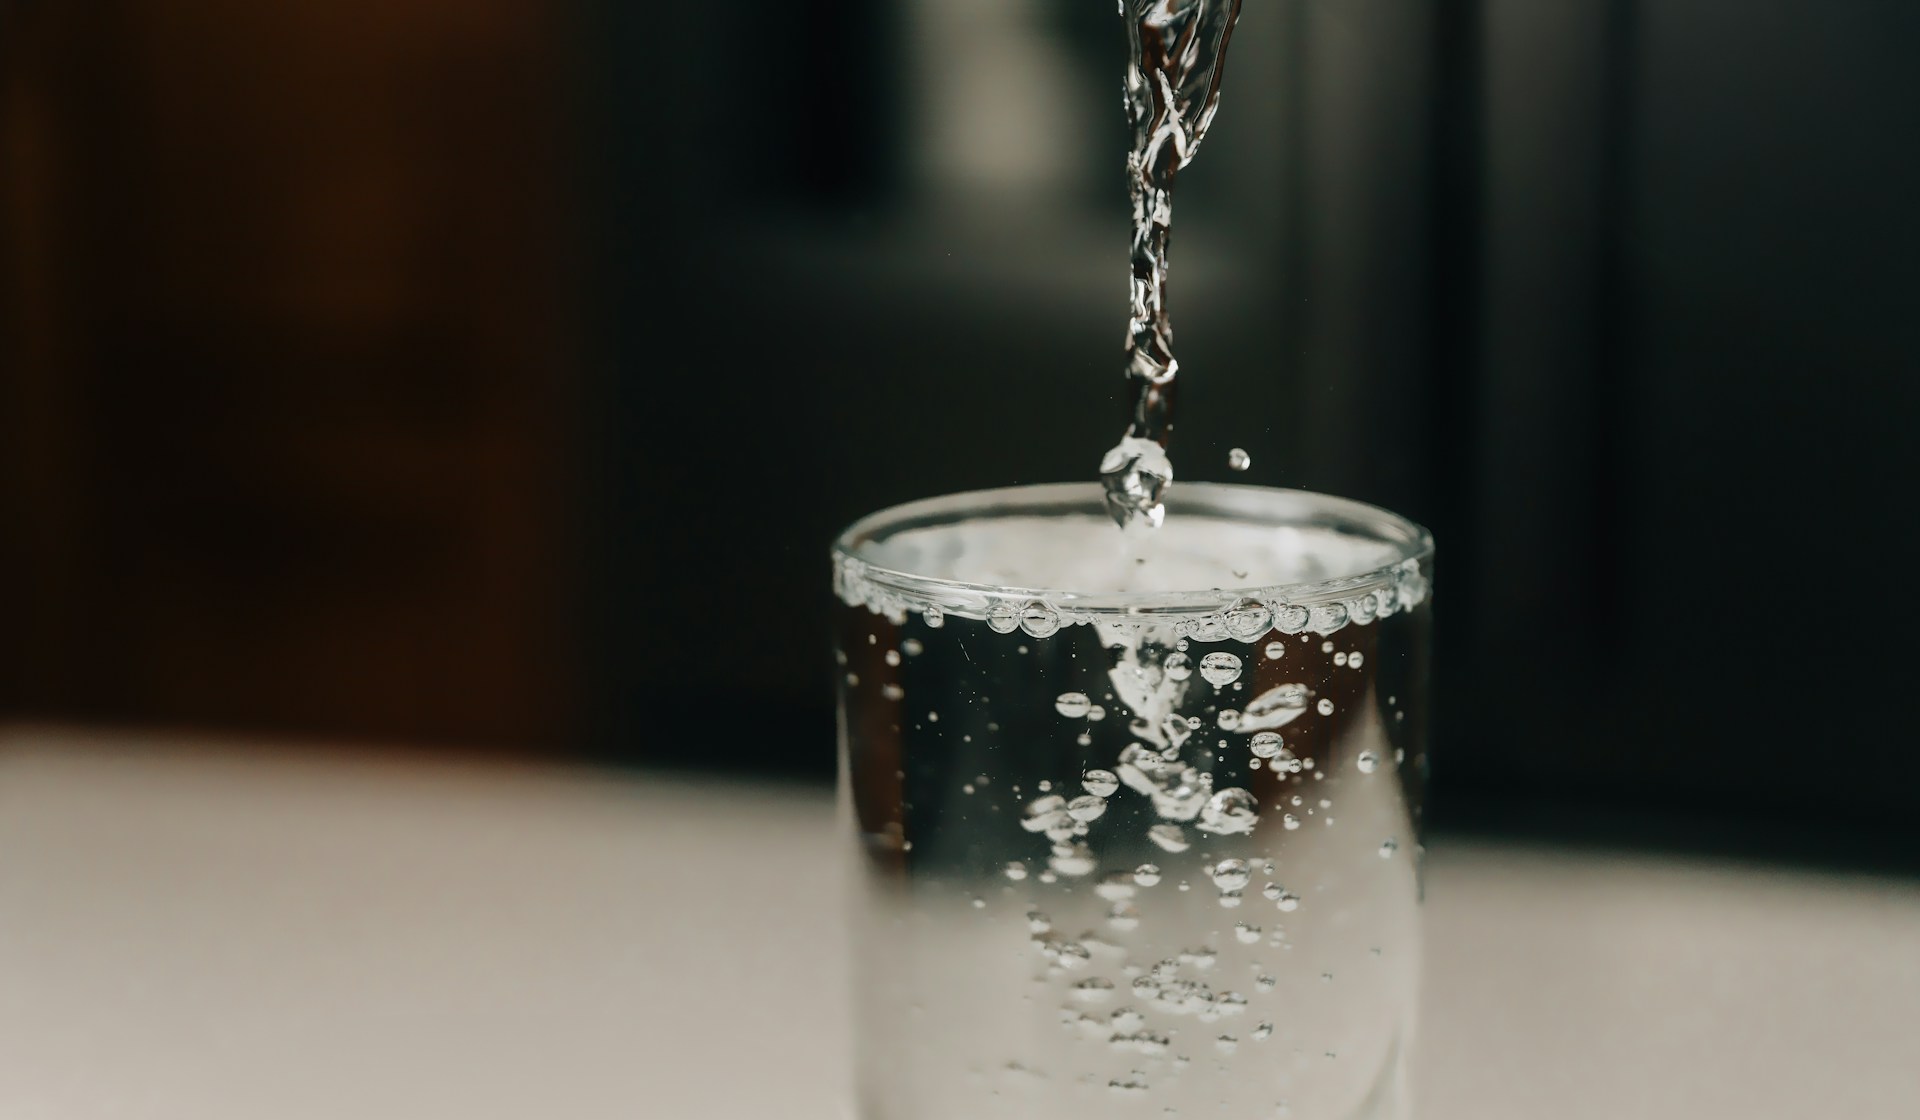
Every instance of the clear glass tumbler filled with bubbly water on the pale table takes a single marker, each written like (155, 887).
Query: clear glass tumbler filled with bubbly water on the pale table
(1138, 814)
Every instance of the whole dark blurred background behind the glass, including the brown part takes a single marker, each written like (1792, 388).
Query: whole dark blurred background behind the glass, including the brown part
(494, 374)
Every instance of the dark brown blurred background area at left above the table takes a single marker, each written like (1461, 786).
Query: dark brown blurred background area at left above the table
(287, 368)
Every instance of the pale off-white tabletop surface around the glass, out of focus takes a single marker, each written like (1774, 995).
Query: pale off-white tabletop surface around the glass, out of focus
(214, 931)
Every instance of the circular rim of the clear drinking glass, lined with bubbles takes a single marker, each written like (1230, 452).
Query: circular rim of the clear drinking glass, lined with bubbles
(1358, 597)
